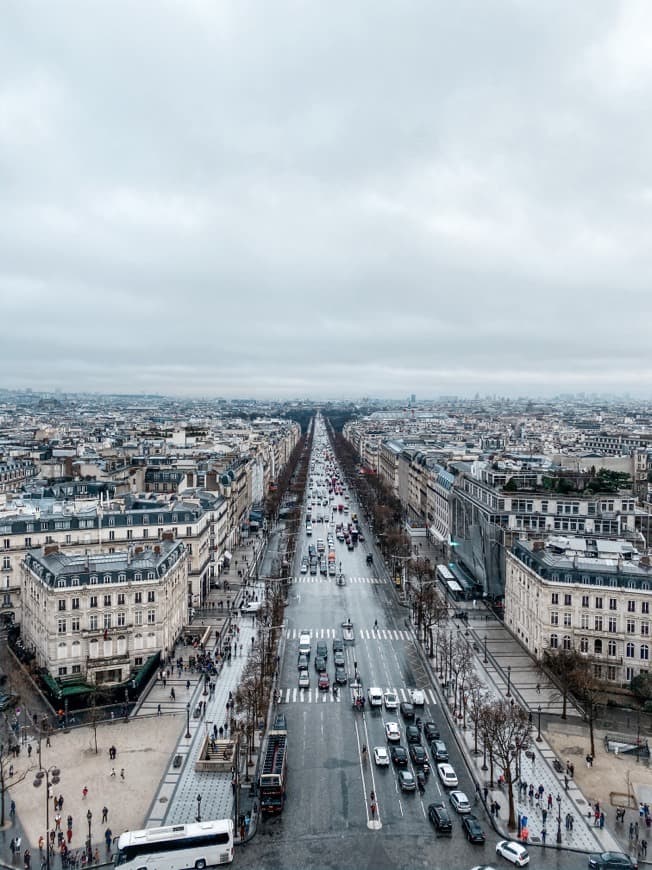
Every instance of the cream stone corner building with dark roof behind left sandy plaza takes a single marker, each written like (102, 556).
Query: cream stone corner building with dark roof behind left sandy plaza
(97, 618)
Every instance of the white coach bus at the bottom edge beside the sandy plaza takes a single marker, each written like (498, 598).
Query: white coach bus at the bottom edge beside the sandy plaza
(177, 847)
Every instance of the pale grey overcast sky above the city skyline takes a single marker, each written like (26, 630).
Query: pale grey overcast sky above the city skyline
(326, 199)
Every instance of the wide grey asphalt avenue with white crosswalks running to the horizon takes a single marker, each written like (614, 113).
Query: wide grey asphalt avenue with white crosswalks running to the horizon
(327, 820)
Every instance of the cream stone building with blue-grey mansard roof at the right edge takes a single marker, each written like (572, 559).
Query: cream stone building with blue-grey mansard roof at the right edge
(586, 594)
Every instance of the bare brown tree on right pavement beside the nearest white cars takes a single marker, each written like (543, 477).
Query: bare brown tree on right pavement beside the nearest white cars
(507, 729)
